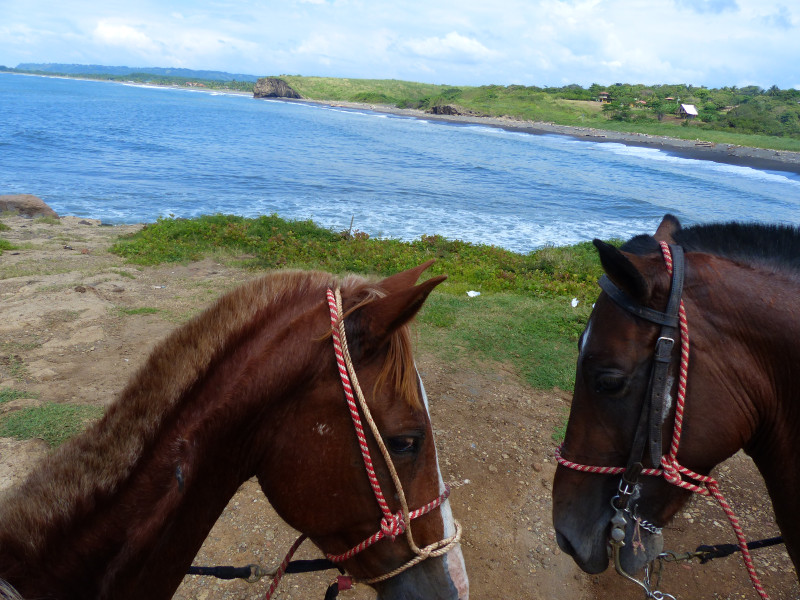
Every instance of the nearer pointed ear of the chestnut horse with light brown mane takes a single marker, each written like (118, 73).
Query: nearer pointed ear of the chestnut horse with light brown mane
(383, 316)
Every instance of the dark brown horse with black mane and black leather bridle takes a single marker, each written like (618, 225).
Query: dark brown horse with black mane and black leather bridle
(648, 402)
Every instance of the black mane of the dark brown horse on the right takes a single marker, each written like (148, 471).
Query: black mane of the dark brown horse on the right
(773, 246)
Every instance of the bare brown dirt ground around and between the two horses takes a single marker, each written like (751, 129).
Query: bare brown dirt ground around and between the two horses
(65, 337)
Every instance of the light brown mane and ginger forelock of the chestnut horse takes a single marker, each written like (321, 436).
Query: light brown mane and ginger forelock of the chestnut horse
(94, 464)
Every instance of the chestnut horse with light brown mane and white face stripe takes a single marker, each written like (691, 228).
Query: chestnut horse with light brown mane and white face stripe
(251, 387)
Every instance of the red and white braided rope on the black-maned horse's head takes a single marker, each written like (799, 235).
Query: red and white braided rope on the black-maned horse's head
(671, 470)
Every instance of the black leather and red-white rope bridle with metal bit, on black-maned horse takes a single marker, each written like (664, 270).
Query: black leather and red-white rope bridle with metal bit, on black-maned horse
(648, 433)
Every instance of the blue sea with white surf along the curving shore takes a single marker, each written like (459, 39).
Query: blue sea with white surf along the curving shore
(126, 154)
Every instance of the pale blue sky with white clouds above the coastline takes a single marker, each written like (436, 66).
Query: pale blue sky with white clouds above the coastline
(712, 43)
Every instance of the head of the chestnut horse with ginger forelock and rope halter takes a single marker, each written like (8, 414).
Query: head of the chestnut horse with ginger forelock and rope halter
(315, 474)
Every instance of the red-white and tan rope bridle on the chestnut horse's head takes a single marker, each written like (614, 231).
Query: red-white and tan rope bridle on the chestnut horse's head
(392, 525)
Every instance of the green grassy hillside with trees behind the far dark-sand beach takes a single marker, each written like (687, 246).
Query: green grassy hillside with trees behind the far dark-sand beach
(749, 116)
